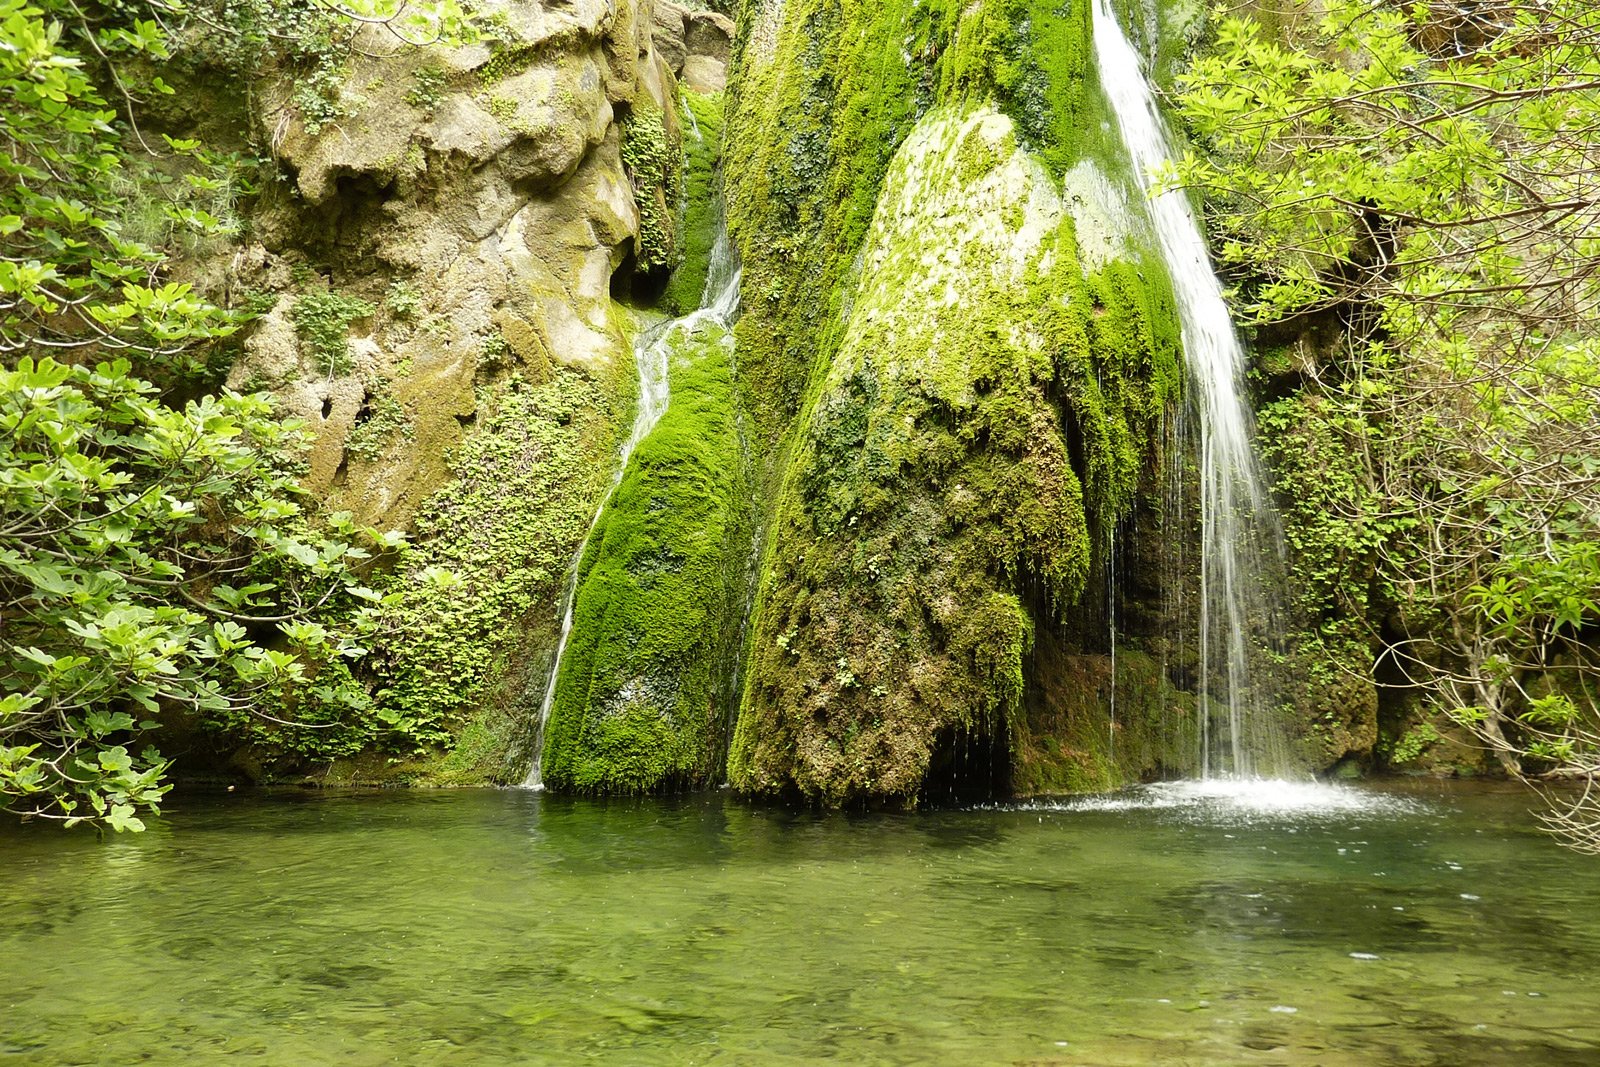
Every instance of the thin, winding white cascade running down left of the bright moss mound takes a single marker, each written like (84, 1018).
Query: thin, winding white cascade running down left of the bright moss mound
(652, 354)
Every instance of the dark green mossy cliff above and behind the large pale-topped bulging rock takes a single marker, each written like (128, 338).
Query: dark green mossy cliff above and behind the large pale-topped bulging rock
(825, 94)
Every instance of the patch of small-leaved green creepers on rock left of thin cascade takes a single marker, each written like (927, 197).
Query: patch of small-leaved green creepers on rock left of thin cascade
(492, 557)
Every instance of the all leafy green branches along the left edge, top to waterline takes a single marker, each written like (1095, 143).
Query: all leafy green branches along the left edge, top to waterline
(154, 562)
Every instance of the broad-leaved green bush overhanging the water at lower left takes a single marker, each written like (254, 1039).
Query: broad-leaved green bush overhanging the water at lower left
(140, 545)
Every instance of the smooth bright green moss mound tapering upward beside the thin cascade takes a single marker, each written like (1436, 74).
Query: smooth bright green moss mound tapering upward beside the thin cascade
(642, 697)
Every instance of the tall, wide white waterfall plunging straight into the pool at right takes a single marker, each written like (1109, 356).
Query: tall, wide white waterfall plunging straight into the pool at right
(1236, 516)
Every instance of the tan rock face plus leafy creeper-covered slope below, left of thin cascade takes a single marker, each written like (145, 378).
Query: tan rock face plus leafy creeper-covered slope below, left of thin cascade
(442, 252)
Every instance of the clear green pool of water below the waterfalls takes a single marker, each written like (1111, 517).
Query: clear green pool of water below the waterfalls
(508, 929)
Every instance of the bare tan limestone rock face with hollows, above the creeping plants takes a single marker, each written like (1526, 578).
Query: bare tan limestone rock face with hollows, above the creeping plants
(478, 204)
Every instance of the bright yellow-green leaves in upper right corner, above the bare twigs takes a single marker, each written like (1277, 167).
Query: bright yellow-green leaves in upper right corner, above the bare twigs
(1425, 159)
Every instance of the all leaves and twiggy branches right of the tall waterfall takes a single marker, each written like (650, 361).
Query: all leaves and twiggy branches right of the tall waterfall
(1425, 172)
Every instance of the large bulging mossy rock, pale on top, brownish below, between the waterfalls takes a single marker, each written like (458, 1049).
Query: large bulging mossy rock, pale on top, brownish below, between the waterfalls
(950, 476)
